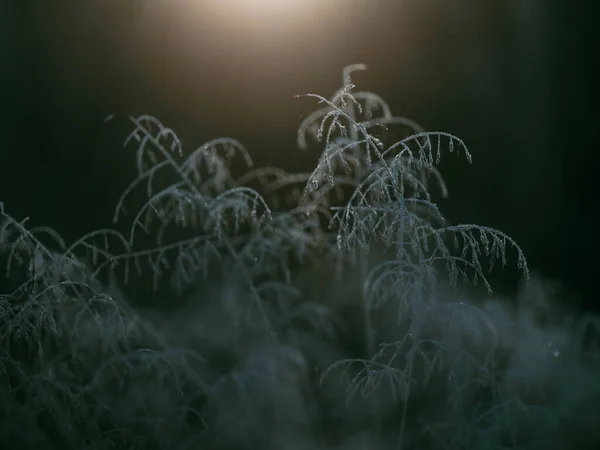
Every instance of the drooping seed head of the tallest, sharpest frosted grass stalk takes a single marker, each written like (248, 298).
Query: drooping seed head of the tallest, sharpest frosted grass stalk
(391, 201)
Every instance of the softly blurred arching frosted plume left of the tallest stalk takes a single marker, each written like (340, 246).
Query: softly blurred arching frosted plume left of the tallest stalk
(199, 194)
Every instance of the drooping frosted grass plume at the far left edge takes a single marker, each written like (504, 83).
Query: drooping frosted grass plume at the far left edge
(58, 290)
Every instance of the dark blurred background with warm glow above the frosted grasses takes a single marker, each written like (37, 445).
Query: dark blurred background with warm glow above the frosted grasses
(513, 78)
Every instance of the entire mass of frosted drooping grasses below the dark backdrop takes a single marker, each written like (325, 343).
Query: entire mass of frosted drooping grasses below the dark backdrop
(316, 306)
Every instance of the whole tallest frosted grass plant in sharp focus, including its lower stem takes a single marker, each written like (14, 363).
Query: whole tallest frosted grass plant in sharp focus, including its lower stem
(391, 203)
